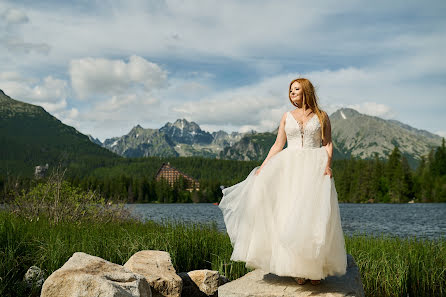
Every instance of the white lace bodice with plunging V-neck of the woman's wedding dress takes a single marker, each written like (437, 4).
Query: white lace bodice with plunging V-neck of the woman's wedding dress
(307, 137)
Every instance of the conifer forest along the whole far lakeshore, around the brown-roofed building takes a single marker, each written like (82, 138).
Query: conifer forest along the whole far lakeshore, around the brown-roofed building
(357, 181)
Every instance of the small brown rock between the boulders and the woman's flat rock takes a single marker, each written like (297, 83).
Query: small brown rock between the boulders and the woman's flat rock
(201, 282)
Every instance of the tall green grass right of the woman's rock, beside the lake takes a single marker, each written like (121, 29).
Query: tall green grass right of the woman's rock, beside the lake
(392, 266)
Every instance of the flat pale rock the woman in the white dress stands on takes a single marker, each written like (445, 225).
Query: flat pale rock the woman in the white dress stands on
(259, 283)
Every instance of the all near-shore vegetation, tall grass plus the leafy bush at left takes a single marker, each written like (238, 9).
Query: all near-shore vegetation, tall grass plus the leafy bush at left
(45, 226)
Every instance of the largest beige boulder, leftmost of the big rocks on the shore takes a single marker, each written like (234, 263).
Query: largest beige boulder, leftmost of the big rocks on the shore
(86, 275)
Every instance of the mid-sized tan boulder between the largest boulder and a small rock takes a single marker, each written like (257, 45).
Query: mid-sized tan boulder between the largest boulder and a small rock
(157, 268)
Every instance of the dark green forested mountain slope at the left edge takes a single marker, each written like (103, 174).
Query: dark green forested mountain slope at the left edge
(29, 136)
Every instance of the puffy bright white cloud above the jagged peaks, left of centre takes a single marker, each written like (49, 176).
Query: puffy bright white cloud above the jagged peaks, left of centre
(90, 76)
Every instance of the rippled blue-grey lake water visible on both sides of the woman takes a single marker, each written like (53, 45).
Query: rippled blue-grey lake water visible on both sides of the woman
(423, 220)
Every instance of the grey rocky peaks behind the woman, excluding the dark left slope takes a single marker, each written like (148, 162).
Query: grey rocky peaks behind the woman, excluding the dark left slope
(354, 135)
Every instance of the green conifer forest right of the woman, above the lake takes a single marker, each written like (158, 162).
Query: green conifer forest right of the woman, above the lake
(392, 181)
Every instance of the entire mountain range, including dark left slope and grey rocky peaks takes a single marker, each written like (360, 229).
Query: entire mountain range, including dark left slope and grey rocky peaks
(32, 134)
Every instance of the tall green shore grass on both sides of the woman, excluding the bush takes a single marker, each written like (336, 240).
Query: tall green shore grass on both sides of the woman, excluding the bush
(389, 266)
